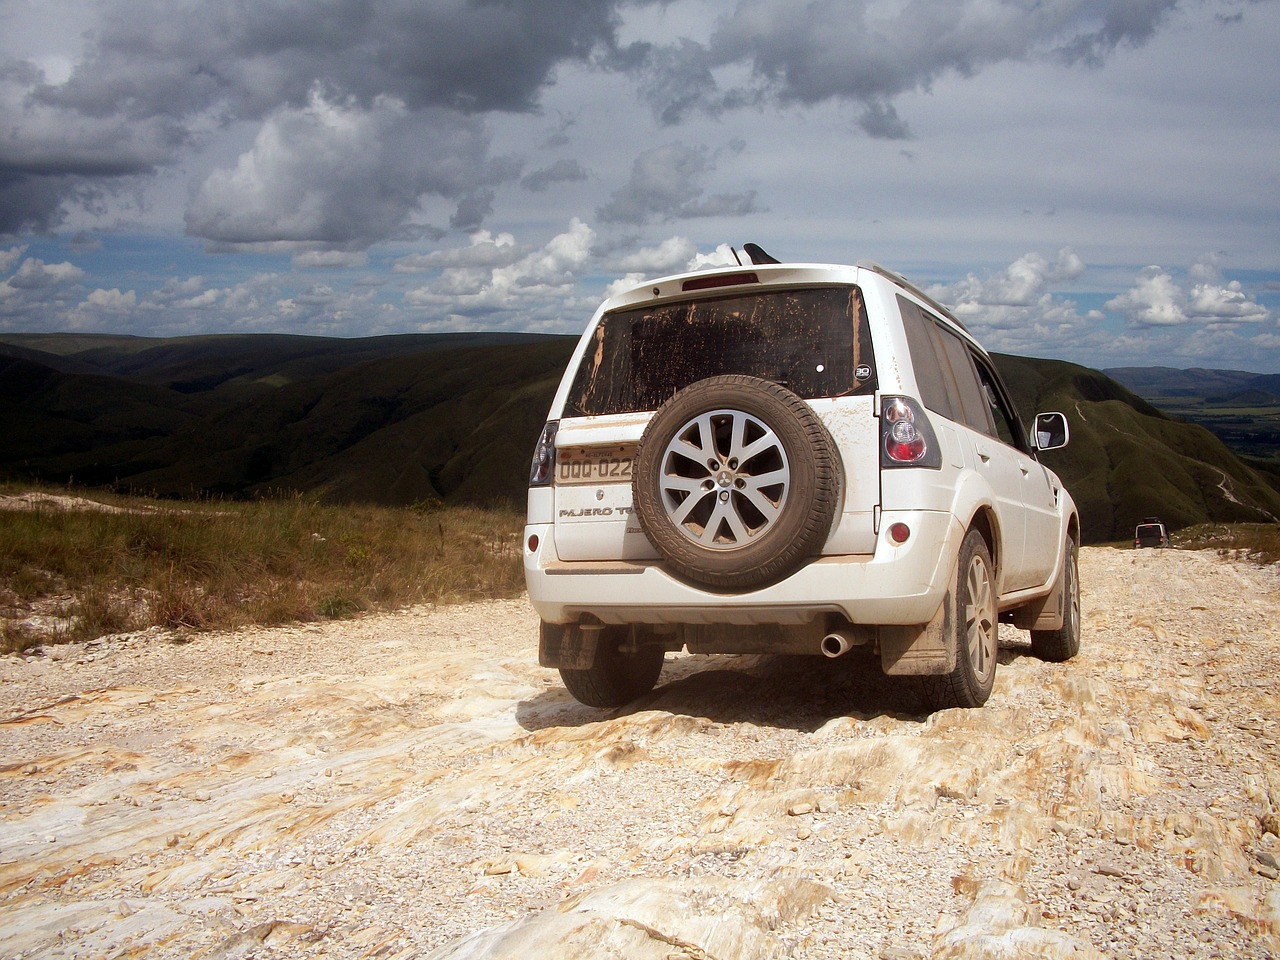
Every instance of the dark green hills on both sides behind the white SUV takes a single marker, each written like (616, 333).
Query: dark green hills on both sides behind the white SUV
(408, 419)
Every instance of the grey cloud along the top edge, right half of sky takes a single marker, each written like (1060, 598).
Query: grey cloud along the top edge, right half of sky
(870, 54)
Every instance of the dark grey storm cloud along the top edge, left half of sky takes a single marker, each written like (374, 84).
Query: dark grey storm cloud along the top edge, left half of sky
(159, 58)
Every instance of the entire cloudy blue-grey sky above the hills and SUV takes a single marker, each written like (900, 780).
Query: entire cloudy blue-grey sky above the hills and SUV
(1096, 181)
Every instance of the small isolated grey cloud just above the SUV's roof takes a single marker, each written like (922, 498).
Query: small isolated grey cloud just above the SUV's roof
(666, 185)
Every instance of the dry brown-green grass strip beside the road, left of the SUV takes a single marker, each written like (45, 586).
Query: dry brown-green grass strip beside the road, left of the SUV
(75, 574)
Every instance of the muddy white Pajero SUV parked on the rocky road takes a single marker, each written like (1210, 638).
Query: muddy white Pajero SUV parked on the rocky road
(793, 459)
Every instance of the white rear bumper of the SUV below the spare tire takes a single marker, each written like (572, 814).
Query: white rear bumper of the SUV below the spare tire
(898, 584)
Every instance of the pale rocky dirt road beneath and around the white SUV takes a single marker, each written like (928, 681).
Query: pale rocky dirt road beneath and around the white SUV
(417, 787)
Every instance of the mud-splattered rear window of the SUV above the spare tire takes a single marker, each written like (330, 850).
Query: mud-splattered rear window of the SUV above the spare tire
(815, 342)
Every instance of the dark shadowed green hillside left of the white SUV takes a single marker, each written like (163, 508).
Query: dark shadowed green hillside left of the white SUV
(452, 418)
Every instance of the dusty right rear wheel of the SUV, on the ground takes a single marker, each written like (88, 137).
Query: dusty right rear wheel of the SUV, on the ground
(977, 630)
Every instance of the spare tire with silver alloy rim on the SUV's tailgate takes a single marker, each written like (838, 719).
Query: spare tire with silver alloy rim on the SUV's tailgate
(735, 483)
